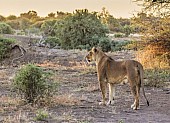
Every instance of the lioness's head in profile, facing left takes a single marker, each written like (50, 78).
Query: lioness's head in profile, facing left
(91, 56)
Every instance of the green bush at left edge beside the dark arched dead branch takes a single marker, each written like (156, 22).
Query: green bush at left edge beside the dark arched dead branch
(5, 47)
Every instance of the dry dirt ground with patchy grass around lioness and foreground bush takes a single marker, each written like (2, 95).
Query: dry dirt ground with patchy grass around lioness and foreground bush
(78, 93)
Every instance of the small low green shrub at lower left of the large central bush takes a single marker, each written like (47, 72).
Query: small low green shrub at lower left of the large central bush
(53, 41)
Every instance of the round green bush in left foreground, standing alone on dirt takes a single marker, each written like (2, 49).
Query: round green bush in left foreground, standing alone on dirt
(33, 84)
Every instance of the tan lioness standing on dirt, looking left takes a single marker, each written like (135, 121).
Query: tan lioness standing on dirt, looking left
(113, 72)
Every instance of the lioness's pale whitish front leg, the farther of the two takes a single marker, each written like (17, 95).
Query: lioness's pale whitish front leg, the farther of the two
(111, 94)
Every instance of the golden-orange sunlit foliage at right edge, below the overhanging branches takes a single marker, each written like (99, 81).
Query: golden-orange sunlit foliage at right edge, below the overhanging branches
(156, 38)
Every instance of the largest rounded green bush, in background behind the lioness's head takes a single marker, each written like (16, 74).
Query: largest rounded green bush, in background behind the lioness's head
(80, 29)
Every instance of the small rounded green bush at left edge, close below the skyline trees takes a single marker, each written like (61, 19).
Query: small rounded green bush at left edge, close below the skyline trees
(5, 29)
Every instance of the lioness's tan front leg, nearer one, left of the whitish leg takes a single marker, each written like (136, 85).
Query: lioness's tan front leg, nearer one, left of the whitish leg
(103, 90)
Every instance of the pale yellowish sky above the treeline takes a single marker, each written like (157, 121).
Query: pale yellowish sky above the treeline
(117, 8)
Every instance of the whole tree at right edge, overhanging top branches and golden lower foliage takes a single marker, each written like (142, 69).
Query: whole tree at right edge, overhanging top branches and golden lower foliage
(154, 23)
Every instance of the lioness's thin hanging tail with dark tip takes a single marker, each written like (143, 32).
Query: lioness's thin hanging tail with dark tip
(141, 74)
